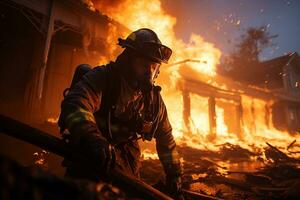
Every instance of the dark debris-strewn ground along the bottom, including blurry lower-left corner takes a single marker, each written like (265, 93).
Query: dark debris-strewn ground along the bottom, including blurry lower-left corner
(227, 174)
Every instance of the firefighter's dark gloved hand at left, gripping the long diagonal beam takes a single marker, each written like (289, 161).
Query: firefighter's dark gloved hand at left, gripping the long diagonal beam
(96, 147)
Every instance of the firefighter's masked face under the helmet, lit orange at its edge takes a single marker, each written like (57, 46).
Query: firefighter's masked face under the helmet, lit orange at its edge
(145, 69)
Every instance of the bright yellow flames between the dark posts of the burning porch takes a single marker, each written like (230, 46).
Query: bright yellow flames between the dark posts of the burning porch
(255, 131)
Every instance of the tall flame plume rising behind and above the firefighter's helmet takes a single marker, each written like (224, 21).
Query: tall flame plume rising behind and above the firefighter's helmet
(133, 15)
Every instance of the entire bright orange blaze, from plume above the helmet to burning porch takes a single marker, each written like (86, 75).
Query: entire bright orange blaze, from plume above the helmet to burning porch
(149, 13)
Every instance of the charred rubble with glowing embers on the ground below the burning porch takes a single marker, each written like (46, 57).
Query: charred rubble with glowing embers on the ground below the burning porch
(209, 172)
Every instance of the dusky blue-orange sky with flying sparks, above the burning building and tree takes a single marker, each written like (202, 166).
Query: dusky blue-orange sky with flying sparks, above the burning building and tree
(223, 21)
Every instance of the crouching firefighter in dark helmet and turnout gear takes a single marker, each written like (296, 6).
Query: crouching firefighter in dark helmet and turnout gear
(113, 106)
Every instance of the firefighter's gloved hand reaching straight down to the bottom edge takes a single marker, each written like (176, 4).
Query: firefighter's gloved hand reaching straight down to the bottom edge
(173, 184)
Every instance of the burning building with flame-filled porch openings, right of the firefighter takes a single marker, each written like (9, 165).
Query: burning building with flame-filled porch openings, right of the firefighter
(269, 103)
